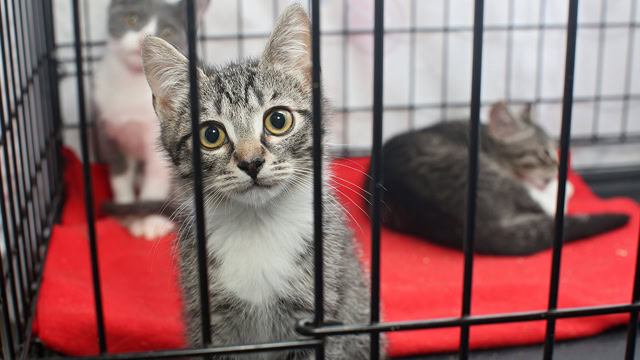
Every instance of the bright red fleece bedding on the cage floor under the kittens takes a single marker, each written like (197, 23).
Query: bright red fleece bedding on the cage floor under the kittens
(419, 280)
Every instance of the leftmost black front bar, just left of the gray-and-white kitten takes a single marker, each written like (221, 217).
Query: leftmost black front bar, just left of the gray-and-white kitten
(86, 172)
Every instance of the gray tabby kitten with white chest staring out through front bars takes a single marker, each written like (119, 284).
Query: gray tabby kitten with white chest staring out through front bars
(256, 140)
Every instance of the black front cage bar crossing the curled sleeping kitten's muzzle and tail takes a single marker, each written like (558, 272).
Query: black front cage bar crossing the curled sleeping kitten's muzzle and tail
(565, 137)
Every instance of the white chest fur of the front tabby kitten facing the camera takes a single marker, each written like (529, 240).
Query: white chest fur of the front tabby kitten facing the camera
(257, 248)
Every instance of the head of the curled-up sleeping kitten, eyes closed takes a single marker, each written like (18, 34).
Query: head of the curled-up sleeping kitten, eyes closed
(526, 149)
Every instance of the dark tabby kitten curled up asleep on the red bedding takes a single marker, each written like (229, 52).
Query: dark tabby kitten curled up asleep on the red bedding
(425, 174)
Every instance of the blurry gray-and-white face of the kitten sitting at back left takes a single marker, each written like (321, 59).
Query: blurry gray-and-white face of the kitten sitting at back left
(131, 20)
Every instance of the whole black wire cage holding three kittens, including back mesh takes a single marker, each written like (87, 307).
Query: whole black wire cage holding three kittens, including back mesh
(35, 63)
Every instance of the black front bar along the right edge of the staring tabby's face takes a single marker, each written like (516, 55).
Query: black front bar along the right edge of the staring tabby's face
(317, 170)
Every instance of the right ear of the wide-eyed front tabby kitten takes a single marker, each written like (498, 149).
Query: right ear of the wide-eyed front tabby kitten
(289, 46)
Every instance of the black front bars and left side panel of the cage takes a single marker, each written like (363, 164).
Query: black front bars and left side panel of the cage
(28, 225)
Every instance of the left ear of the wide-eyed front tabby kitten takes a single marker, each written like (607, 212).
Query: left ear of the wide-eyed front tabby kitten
(167, 72)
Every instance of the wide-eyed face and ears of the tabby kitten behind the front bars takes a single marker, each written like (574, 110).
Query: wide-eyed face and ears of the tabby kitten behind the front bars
(255, 130)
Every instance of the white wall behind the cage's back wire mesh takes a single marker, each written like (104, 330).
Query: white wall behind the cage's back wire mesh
(351, 86)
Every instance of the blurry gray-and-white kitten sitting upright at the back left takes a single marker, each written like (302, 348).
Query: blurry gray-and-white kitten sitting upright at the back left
(127, 125)
